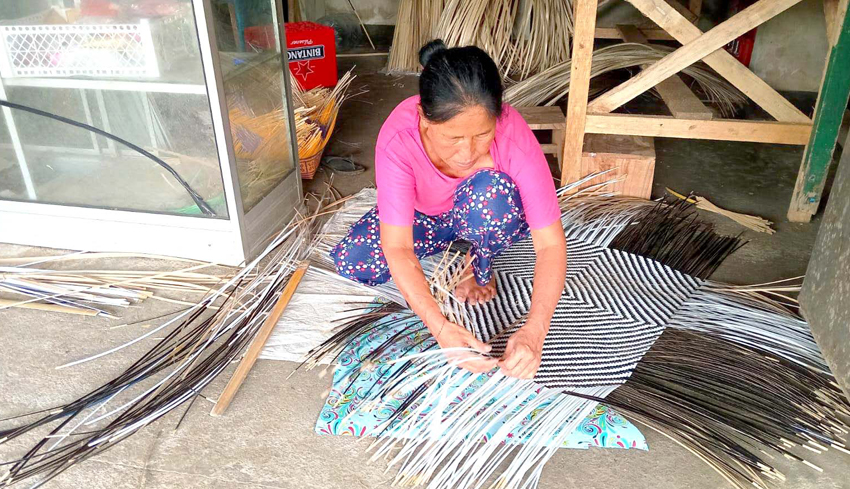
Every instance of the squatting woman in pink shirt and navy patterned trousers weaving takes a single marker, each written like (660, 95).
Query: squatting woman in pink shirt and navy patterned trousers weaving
(457, 163)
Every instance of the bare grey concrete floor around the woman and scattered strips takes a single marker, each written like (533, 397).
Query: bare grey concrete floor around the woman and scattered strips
(266, 439)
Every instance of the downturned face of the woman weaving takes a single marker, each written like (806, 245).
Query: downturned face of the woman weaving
(461, 141)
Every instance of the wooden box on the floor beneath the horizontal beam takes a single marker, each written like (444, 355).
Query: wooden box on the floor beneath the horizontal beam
(629, 159)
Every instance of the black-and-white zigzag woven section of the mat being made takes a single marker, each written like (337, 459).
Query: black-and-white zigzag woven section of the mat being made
(614, 306)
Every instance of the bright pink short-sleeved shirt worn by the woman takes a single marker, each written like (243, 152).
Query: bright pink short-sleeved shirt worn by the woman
(407, 179)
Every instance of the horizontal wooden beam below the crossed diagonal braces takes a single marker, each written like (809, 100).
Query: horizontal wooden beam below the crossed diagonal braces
(717, 129)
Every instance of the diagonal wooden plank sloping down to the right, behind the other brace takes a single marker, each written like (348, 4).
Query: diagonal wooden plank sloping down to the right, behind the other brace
(721, 61)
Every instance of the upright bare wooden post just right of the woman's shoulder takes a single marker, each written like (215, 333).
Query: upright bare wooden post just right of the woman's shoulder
(582, 57)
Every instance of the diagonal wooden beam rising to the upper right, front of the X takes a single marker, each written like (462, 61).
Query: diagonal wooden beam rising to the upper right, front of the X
(690, 53)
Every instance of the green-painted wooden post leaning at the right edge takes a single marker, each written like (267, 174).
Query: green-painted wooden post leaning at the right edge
(829, 110)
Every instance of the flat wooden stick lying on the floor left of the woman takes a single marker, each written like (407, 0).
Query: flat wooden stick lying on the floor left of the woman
(259, 342)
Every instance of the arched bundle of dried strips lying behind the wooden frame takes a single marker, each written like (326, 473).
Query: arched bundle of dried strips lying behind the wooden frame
(551, 85)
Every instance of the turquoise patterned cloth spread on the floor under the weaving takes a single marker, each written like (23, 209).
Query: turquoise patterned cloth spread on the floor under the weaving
(604, 427)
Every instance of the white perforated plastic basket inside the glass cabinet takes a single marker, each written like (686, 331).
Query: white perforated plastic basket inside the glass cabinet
(121, 50)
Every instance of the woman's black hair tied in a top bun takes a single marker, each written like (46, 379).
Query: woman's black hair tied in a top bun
(457, 78)
